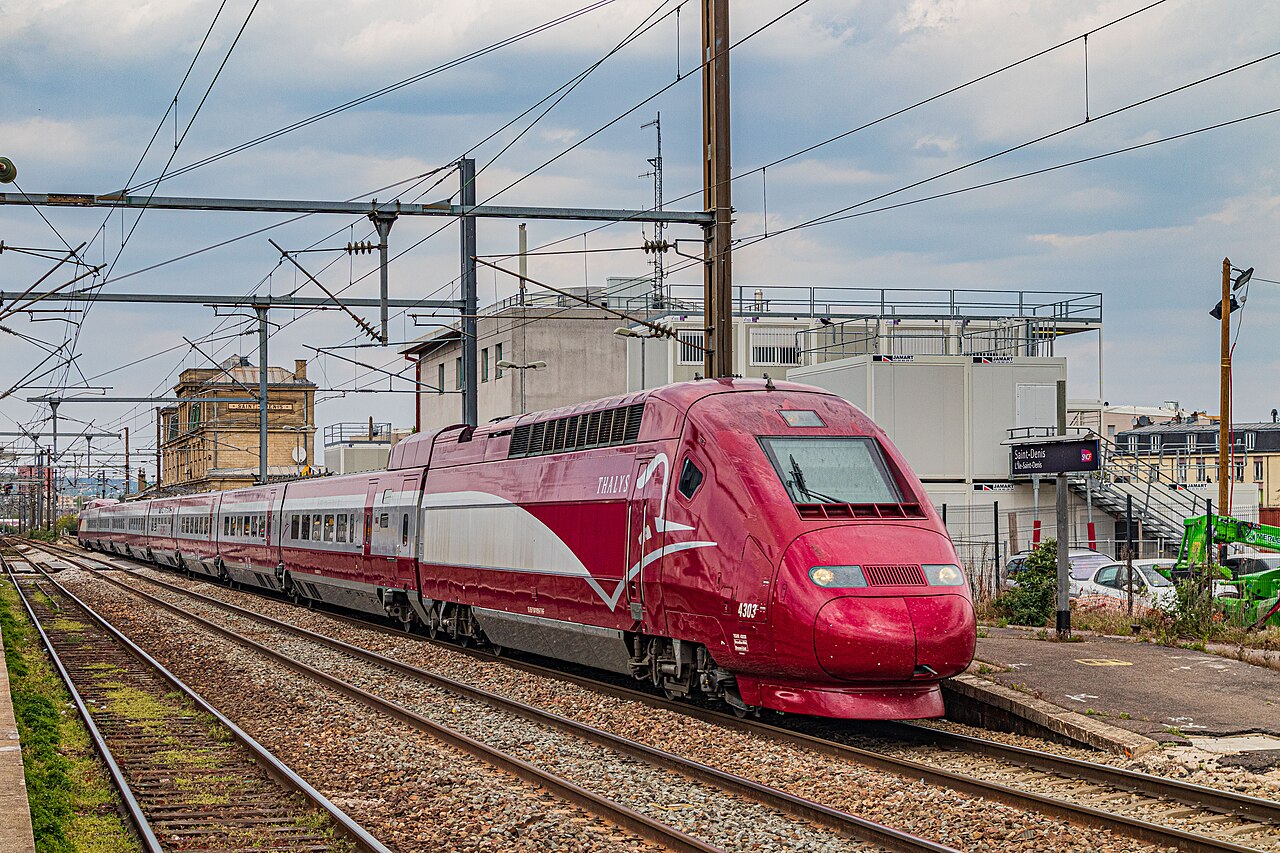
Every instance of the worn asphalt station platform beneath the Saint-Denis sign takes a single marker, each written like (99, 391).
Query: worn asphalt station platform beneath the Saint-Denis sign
(1160, 694)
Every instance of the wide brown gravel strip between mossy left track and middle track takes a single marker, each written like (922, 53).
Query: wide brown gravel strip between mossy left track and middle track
(410, 791)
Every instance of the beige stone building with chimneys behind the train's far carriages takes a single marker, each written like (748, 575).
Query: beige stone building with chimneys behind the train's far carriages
(209, 446)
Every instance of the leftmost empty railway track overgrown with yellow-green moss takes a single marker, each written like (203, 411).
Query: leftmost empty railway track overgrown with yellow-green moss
(189, 778)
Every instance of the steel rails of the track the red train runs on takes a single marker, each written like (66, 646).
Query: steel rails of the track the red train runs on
(1066, 810)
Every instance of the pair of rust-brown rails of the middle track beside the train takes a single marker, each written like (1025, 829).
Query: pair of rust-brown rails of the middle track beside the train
(840, 825)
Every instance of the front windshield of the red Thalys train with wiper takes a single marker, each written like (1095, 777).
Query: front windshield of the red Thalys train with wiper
(845, 469)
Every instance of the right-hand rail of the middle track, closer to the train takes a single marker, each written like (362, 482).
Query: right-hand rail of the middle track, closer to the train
(799, 808)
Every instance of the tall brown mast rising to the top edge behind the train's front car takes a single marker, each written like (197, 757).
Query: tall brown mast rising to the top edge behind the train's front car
(717, 183)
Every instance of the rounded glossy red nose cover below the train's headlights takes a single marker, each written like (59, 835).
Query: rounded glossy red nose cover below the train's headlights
(894, 638)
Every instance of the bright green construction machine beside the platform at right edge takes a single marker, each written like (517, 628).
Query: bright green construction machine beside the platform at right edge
(1258, 595)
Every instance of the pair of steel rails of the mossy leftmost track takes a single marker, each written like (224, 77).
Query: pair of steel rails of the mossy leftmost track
(275, 768)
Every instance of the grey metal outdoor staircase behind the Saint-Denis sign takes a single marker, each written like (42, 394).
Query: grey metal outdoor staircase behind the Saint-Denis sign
(1159, 504)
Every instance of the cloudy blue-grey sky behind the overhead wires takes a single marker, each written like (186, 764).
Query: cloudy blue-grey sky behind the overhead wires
(85, 86)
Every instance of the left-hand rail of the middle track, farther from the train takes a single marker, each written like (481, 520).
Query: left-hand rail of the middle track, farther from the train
(618, 814)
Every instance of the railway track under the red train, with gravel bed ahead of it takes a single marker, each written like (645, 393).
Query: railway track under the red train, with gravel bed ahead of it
(1068, 788)
